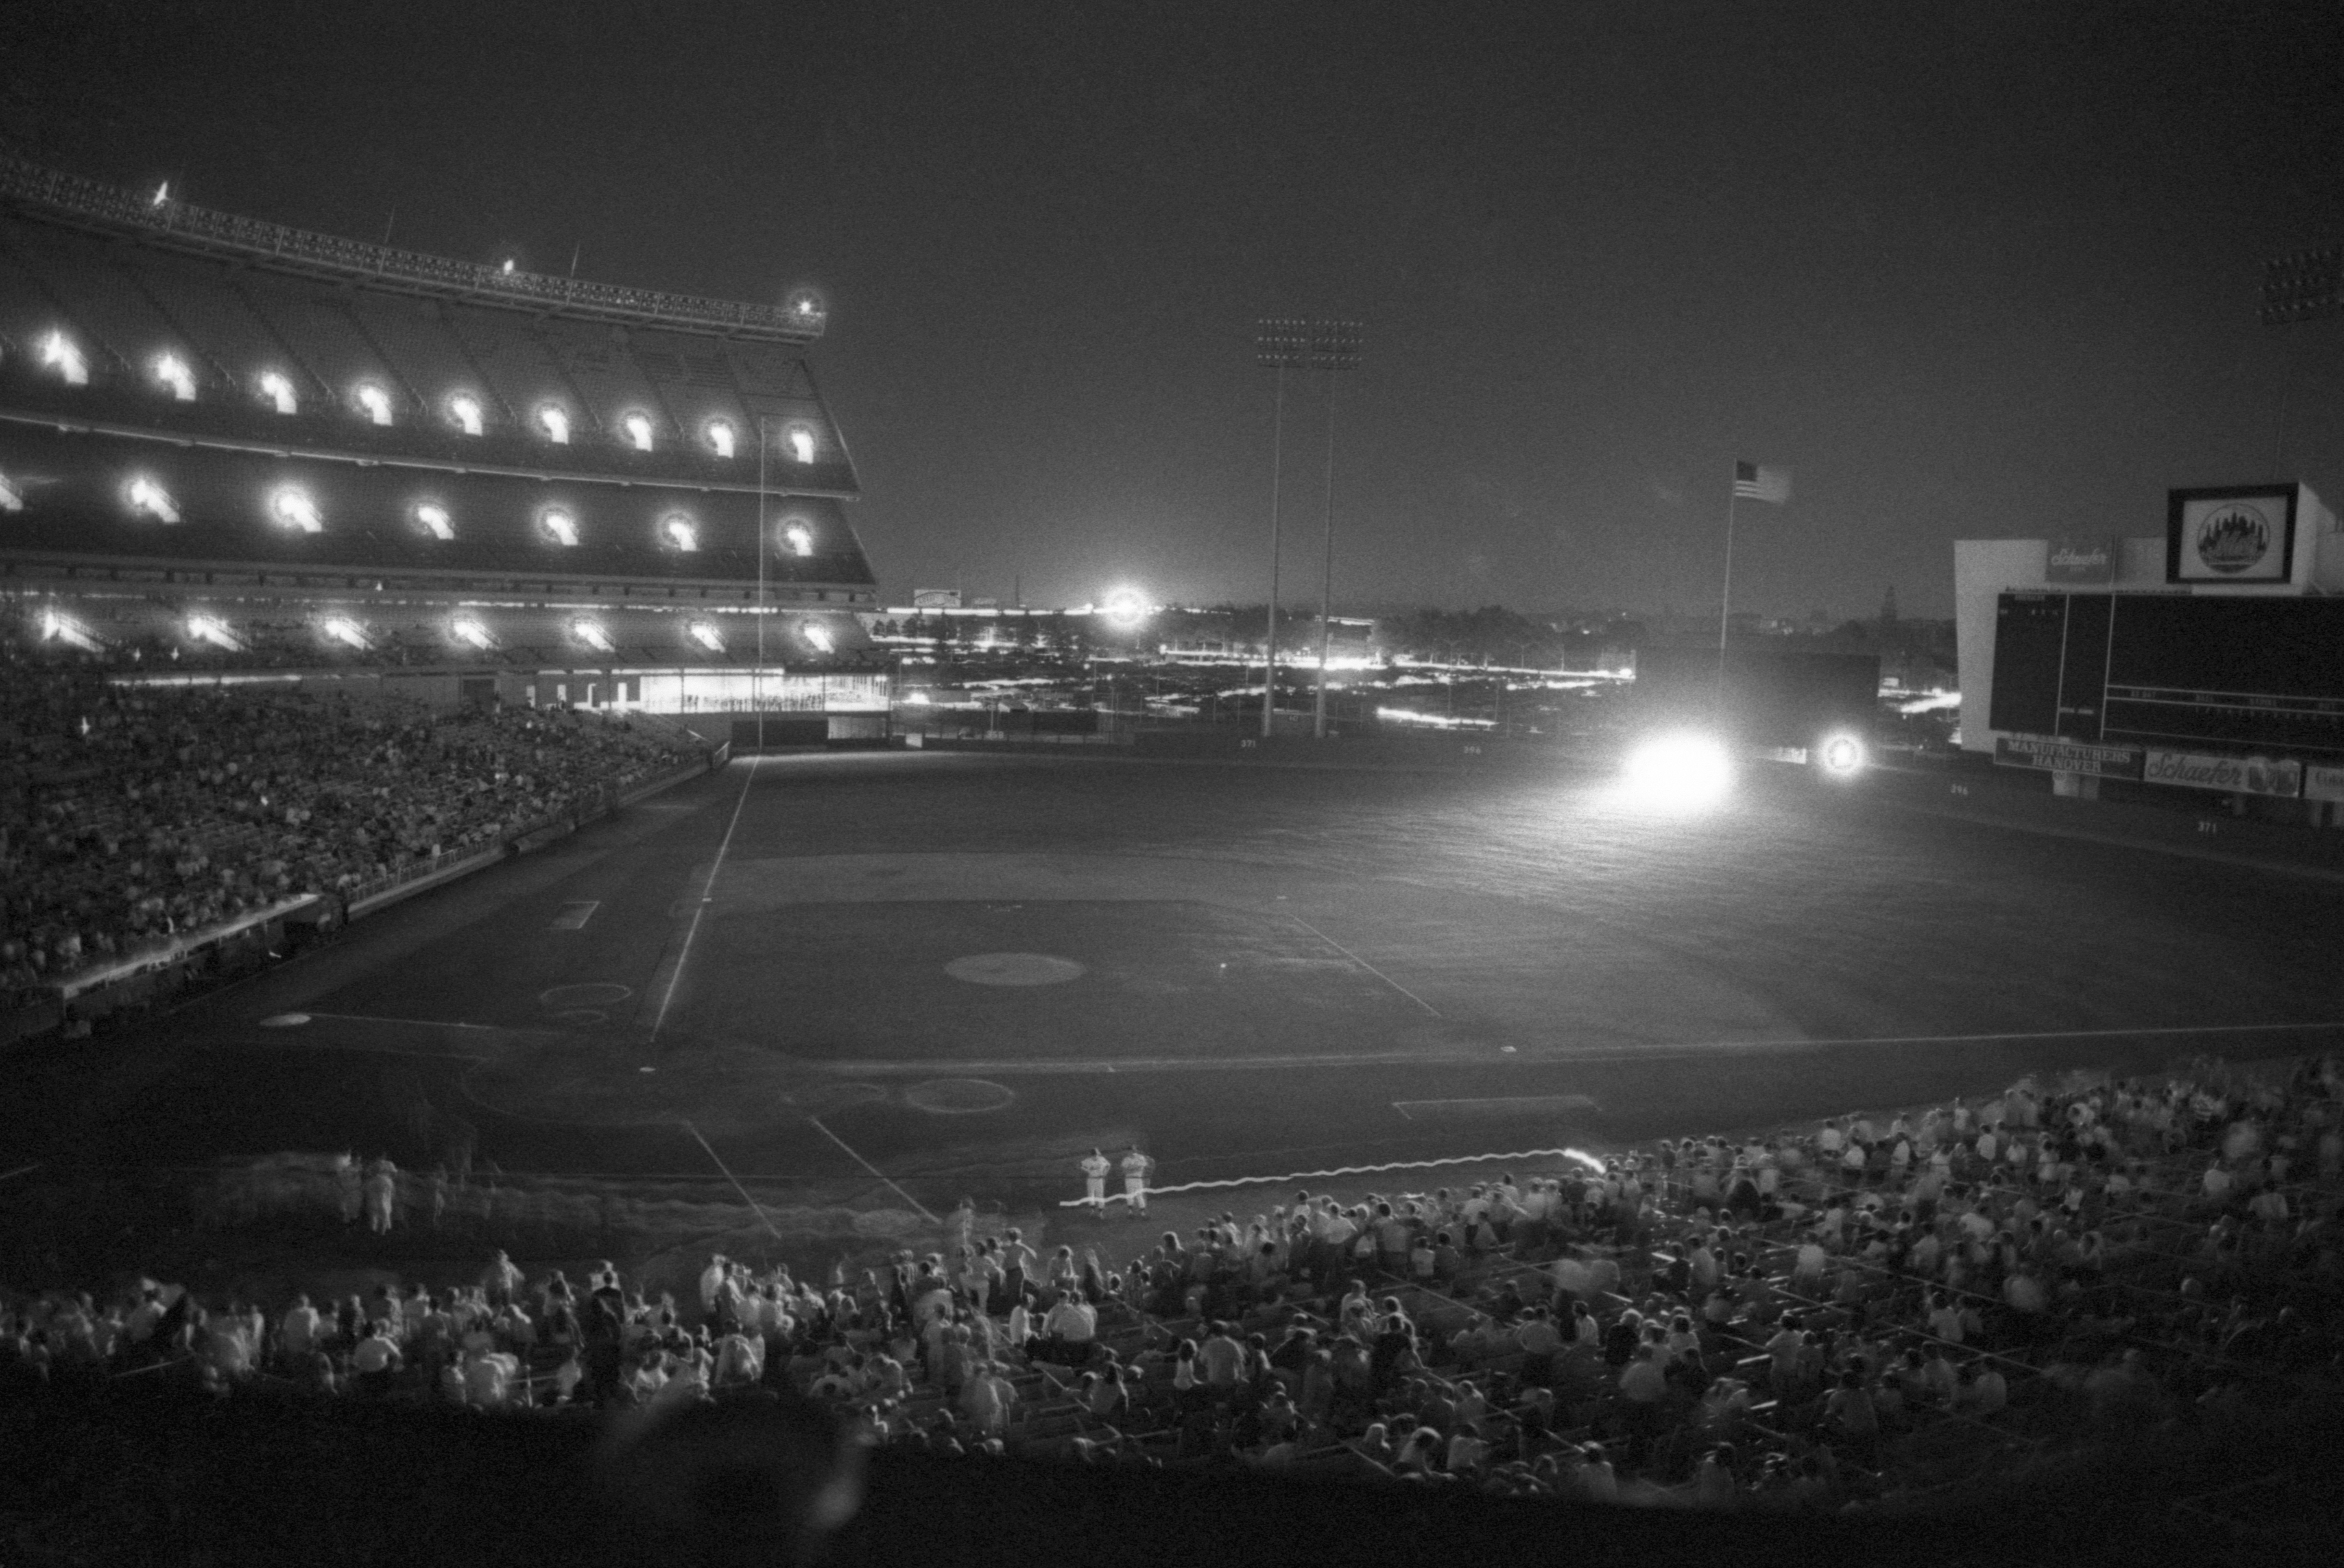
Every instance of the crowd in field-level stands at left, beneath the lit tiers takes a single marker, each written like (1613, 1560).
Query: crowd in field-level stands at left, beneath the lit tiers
(135, 814)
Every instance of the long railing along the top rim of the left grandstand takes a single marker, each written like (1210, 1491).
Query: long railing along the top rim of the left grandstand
(285, 250)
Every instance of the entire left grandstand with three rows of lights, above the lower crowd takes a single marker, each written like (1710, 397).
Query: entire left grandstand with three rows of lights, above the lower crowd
(231, 533)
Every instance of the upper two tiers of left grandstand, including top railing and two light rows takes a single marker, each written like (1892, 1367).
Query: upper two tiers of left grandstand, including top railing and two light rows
(189, 397)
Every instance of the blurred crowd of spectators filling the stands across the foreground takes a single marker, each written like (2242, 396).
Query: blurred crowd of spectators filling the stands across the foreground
(1792, 1321)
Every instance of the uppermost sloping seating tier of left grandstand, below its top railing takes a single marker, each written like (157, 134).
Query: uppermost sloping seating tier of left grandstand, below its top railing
(125, 304)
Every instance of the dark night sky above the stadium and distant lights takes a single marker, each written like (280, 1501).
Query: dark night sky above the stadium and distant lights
(1965, 271)
